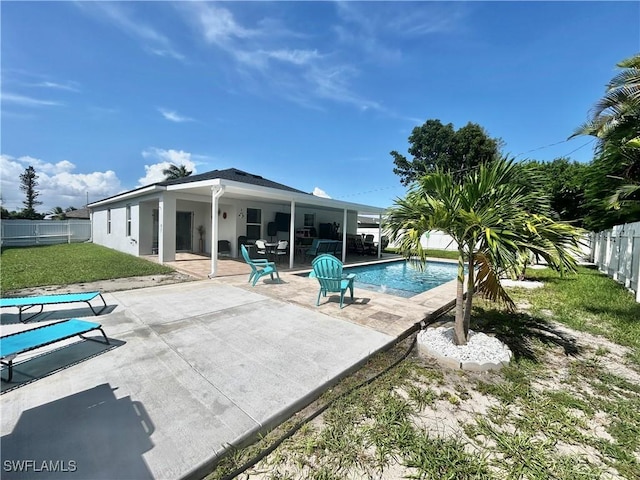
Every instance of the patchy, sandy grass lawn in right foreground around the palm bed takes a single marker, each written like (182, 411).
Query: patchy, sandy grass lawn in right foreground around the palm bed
(567, 407)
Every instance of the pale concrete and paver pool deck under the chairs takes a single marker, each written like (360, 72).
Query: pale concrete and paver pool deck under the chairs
(193, 369)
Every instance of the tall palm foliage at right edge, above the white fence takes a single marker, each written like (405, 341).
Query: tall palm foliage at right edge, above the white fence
(615, 122)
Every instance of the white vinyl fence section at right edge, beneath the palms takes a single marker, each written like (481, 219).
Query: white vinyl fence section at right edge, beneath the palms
(616, 252)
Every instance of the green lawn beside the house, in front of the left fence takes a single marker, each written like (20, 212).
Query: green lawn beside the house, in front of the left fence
(23, 267)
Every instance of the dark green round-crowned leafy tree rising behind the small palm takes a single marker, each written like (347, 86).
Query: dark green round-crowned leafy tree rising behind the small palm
(434, 145)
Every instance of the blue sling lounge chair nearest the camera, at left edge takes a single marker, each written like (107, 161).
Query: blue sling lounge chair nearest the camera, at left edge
(20, 342)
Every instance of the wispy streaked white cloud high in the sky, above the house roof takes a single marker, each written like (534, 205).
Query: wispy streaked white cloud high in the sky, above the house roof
(302, 75)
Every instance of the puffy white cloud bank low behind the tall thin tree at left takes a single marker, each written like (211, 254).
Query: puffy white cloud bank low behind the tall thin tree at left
(58, 185)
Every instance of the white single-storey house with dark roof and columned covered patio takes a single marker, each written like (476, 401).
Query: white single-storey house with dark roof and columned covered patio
(192, 214)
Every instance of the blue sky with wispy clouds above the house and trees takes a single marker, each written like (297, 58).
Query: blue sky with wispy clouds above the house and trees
(99, 96)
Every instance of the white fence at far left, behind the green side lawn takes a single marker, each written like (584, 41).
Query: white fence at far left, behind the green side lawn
(44, 232)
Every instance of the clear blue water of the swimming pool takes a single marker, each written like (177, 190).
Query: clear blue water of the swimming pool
(401, 279)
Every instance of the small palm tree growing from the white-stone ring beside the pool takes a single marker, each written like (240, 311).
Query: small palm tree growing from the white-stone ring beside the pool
(492, 218)
